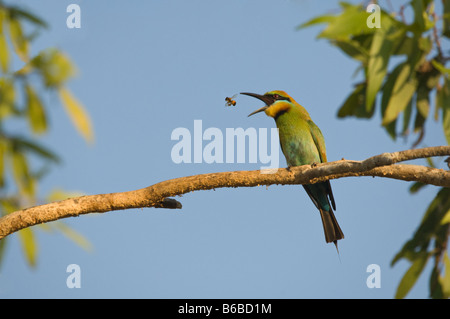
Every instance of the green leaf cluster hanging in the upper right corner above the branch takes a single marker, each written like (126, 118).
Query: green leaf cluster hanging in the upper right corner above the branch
(402, 64)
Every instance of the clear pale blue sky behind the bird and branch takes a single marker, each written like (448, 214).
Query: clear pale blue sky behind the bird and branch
(146, 68)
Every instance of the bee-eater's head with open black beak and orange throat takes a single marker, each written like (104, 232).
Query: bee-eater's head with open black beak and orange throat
(277, 102)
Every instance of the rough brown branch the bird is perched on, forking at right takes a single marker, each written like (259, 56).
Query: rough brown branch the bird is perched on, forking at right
(383, 165)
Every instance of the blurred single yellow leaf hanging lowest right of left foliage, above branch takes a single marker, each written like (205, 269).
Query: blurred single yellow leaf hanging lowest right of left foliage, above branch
(77, 114)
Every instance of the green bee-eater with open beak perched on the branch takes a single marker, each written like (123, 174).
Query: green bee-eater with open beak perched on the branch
(302, 143)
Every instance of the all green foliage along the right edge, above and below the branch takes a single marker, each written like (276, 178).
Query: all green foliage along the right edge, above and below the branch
(403, 67)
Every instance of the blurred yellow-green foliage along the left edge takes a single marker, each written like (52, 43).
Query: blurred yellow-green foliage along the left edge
(23, 160)
